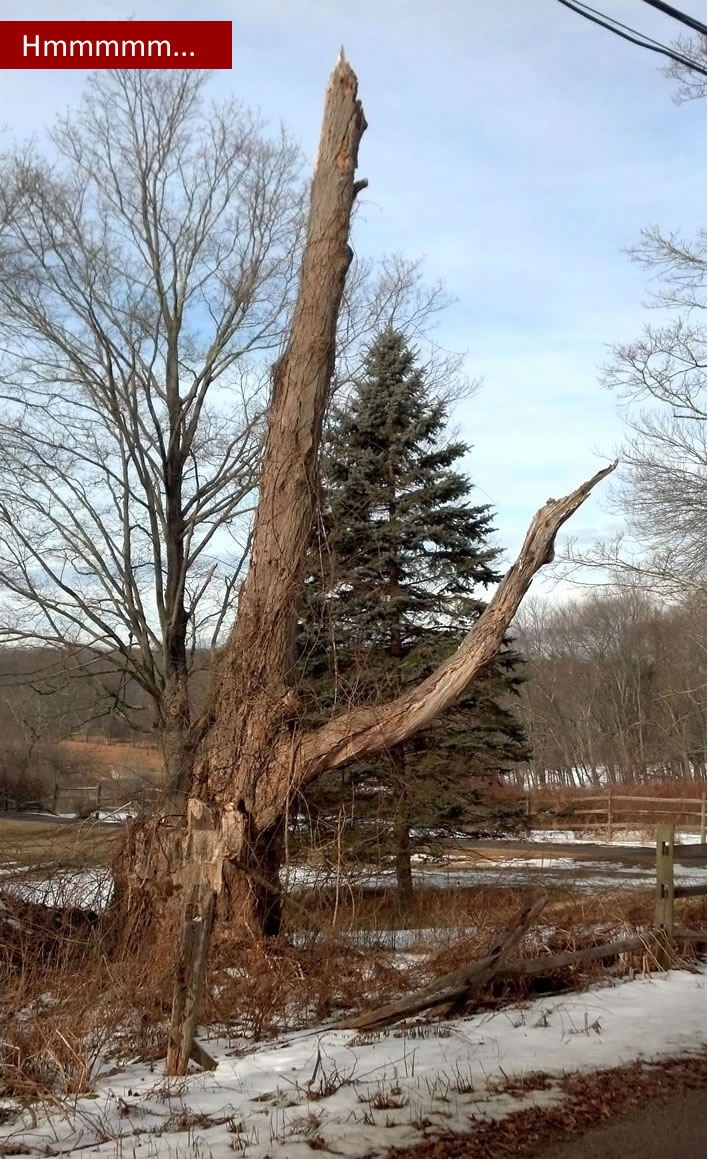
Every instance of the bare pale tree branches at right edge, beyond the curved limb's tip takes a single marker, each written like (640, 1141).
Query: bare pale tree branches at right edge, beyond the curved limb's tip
(661, 383)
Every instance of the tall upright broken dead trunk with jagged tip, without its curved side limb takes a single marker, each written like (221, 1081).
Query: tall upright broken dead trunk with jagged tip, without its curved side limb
(245, 767)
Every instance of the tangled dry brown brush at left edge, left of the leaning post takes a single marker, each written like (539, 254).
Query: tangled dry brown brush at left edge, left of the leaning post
(69, 1007)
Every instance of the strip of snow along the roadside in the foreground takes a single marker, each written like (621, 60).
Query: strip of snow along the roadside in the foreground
(356, 1094)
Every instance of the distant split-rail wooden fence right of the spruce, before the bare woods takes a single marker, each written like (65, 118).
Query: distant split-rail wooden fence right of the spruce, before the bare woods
(608, 808)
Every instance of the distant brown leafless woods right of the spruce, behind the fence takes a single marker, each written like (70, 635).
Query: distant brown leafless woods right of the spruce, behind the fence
(617, 688)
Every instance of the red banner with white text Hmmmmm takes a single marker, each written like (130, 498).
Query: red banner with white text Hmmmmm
(115, 45)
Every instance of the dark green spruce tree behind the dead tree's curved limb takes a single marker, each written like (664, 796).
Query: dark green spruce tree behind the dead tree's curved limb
(398, 562)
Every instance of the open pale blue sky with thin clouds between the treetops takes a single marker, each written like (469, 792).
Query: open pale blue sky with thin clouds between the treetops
(512, 147)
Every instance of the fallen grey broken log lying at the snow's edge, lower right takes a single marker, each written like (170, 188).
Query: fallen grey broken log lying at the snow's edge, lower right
(459, 987)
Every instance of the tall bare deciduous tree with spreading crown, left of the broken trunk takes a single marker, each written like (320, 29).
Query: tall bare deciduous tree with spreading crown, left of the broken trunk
(147, 285)
